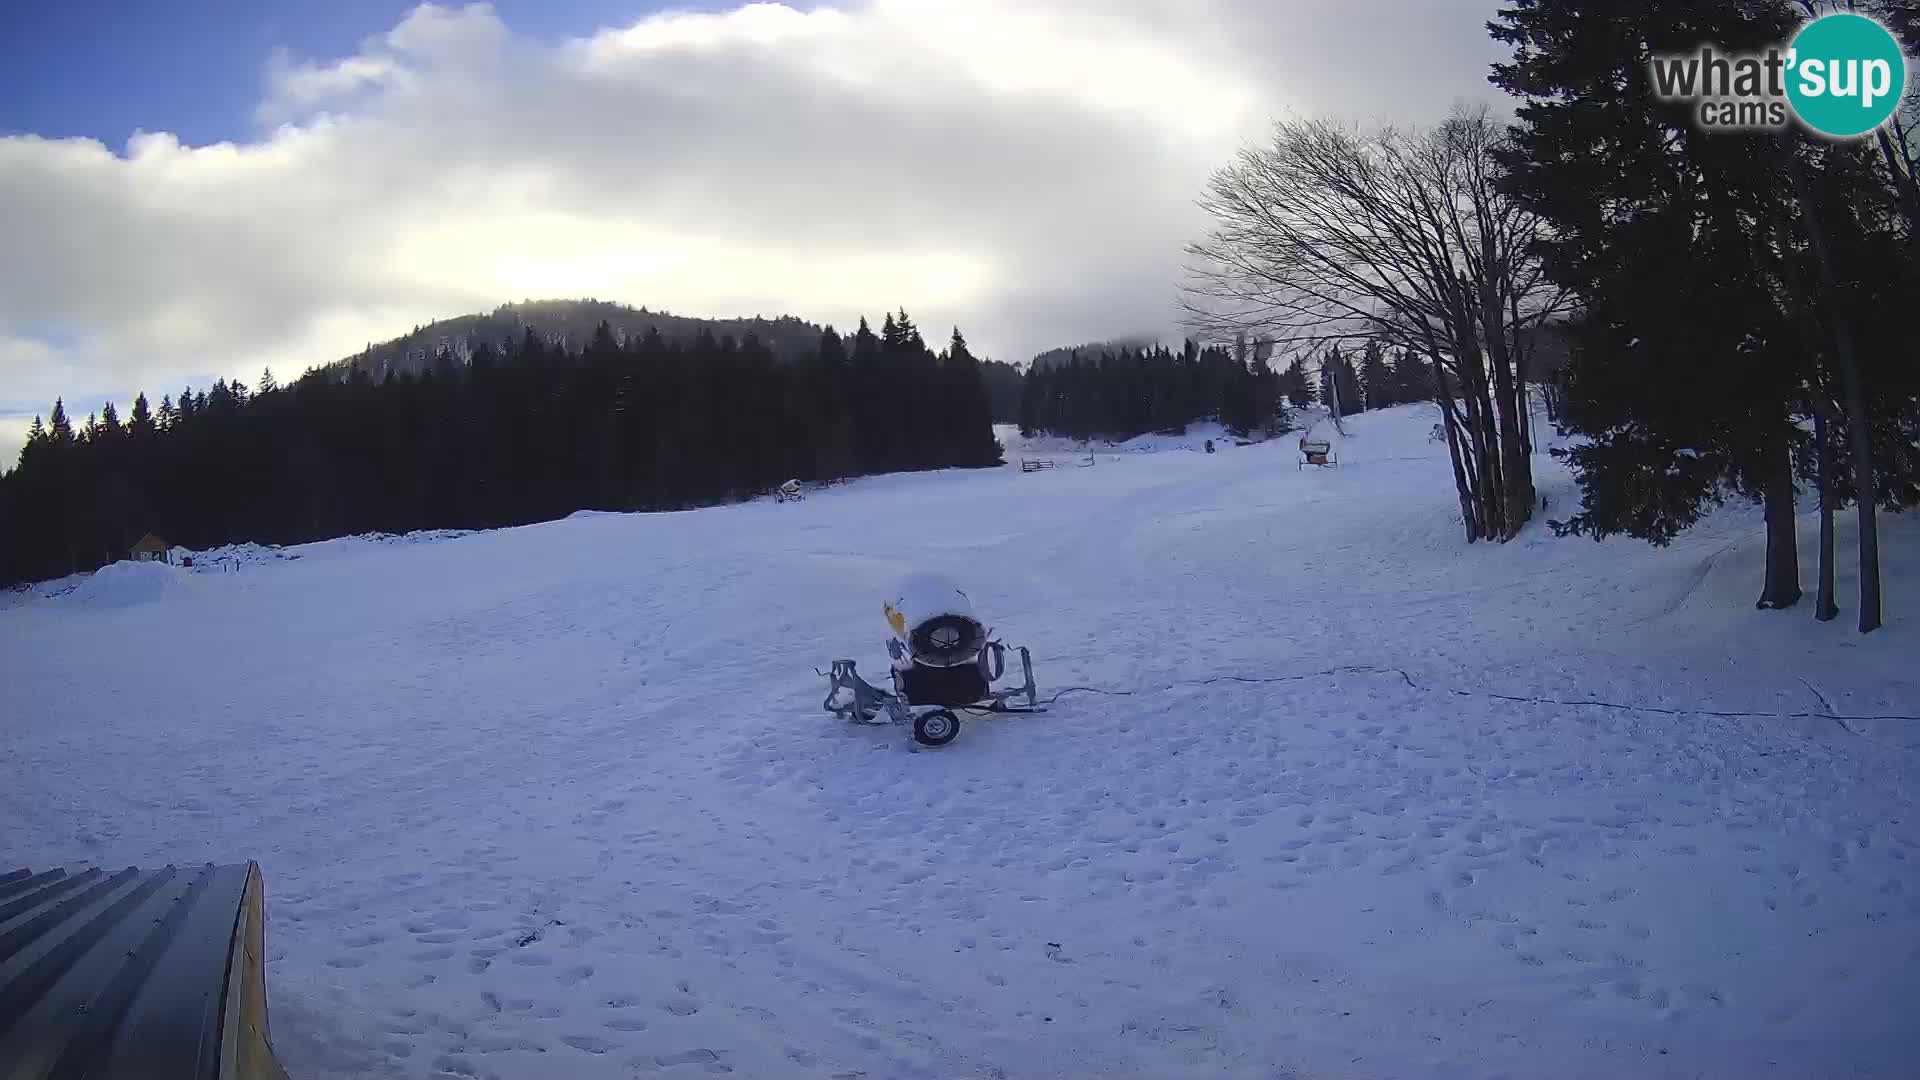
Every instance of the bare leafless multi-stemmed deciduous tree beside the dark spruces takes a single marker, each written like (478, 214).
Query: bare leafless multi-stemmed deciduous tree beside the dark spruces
(1403, 237)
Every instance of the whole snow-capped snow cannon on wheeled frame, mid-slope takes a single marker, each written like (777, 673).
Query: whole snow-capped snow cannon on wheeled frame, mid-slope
(944, 660)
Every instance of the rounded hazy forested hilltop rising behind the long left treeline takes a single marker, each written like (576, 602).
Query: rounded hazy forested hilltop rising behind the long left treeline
(569, 326)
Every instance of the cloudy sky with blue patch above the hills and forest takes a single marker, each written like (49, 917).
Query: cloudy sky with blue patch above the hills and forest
(197, 191)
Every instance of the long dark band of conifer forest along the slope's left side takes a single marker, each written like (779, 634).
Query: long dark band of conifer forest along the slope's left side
(519, 433)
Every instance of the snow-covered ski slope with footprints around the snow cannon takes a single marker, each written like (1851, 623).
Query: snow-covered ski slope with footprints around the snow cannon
(1345, 798)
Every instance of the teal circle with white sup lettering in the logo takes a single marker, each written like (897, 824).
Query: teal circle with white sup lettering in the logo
(1846, 76)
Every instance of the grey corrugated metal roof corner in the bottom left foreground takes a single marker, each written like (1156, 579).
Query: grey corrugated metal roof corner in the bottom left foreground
(133, 973)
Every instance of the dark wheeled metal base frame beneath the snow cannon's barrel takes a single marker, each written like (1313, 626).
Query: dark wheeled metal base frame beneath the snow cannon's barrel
(930, 699)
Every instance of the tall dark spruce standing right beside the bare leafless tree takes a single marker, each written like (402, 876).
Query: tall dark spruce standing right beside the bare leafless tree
(1685, 372)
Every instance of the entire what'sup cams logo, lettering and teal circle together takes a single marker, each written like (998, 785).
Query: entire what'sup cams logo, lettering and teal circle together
(1842, 76)
